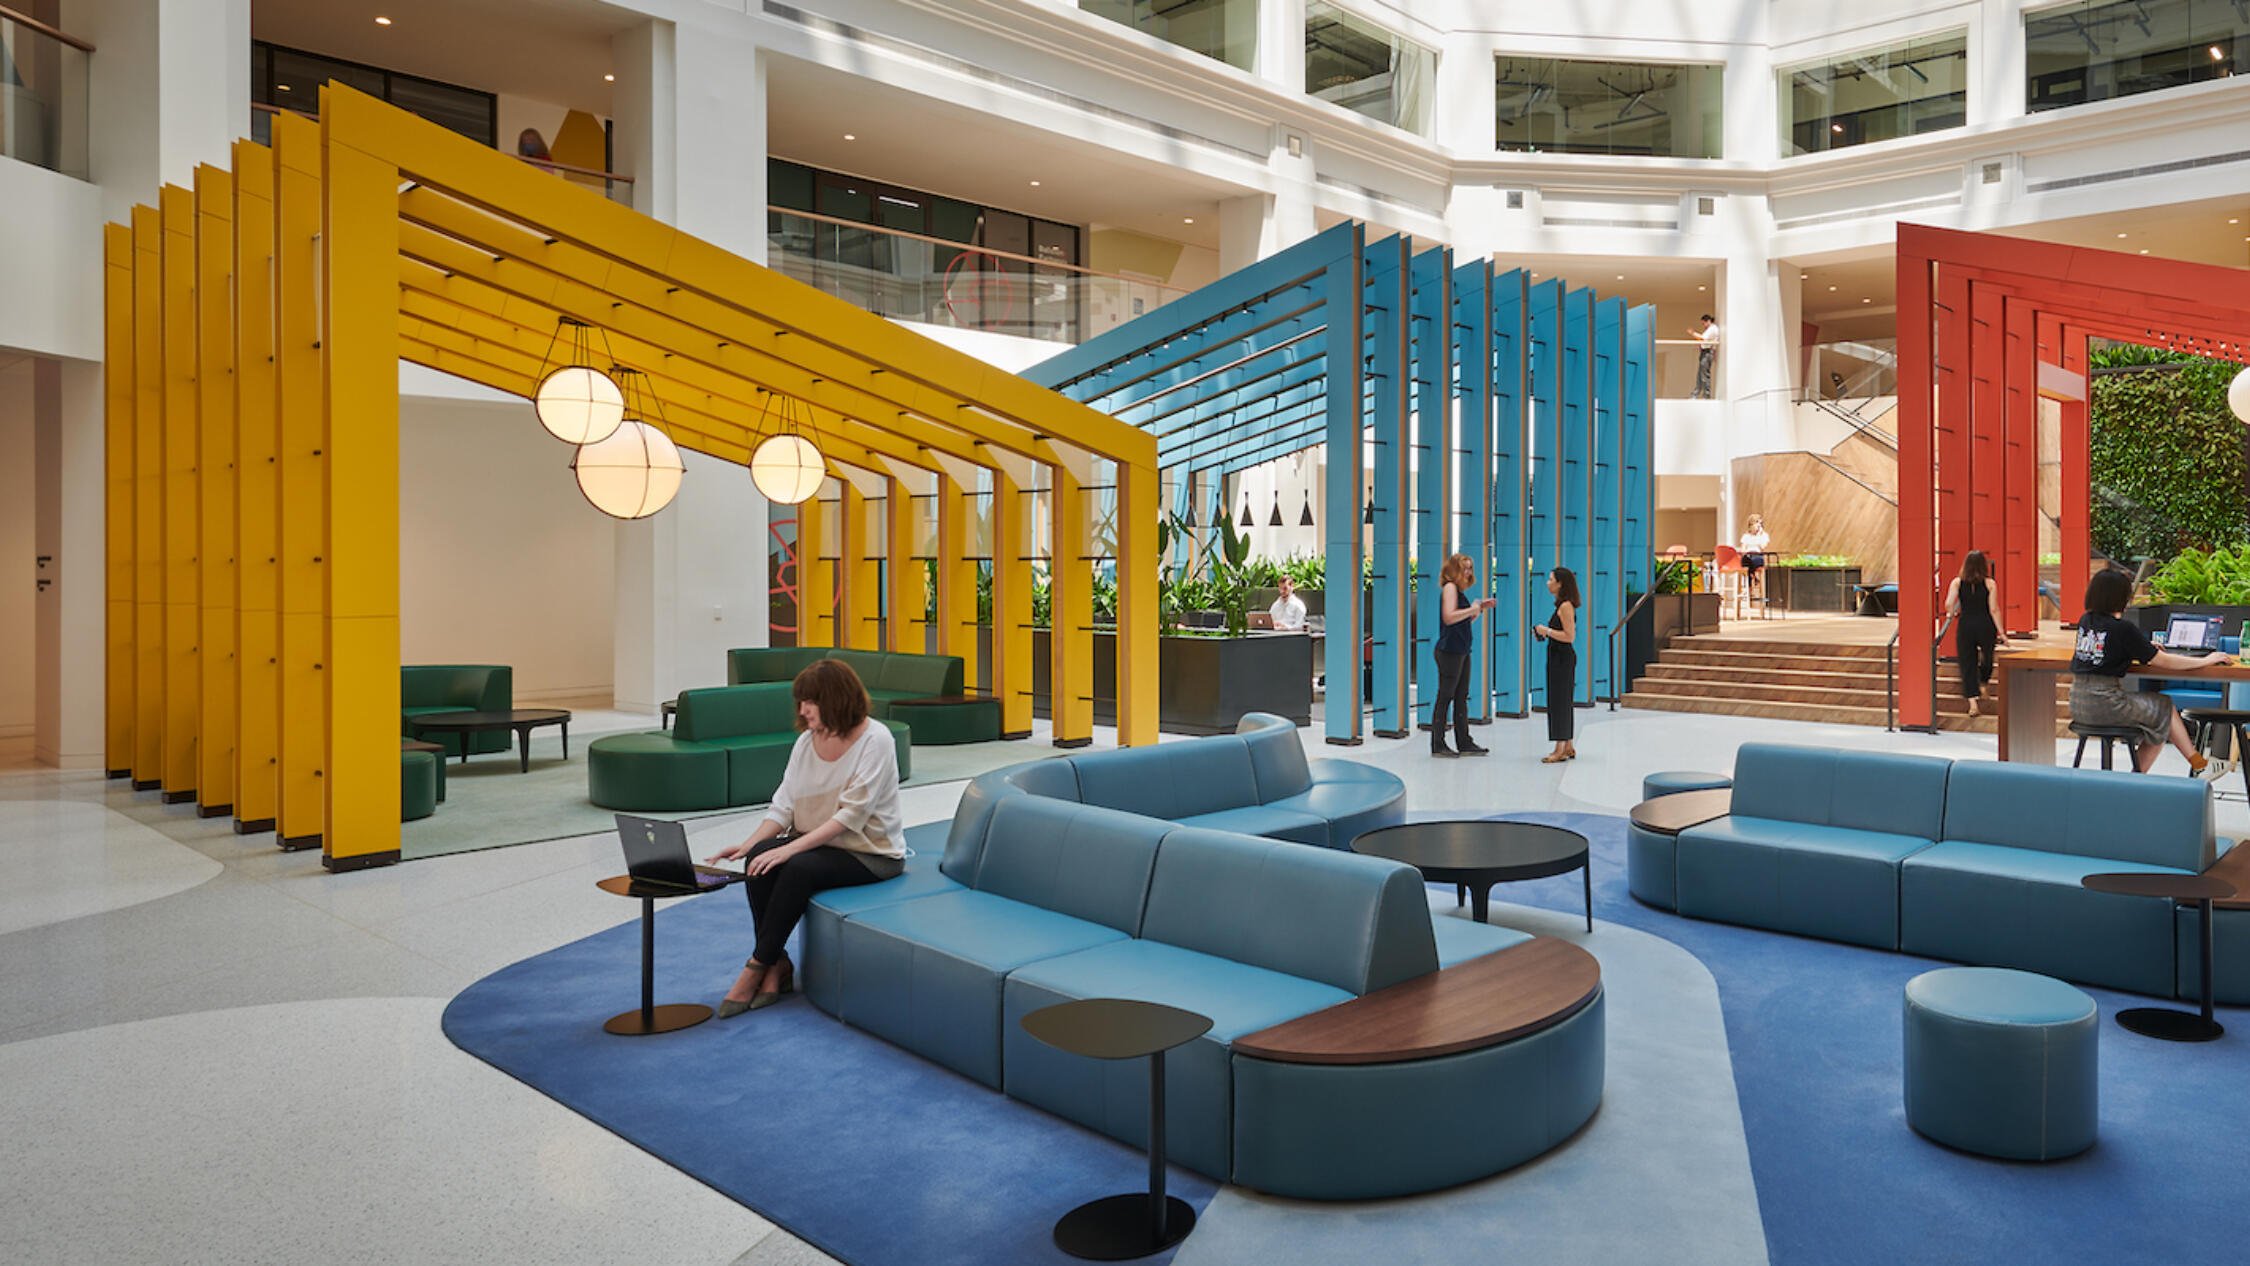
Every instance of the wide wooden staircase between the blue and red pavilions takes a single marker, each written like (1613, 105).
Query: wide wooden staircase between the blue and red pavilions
(1788, 680)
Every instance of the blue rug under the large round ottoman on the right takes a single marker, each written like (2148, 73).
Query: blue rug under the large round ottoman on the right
(1842, 1179)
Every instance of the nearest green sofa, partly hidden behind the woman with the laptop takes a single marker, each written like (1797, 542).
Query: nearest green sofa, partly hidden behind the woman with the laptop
(728, 748)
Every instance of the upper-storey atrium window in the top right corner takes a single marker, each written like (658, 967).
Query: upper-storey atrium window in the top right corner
(2100, 51)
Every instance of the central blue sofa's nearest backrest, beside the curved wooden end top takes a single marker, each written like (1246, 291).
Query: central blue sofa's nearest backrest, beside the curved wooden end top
(1347, 921)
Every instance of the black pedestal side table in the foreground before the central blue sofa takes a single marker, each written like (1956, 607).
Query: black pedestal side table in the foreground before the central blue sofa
(1117, 1229)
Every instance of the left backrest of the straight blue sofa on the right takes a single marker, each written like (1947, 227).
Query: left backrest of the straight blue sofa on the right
(1862, 790)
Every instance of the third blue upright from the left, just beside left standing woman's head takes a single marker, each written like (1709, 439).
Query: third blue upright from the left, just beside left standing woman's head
(1432, 455)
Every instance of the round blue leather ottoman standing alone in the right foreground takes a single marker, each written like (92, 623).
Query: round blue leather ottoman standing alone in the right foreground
(2001, 1062)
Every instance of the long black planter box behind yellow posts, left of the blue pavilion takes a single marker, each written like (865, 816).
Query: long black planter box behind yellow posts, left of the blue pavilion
(1205, 682)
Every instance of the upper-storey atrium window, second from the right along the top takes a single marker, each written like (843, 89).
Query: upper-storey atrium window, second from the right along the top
(1878, 96)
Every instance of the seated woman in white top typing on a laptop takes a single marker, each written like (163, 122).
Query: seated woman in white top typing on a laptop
(834, 824)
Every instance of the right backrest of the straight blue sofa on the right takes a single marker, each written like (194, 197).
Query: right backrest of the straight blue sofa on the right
(2085, 813)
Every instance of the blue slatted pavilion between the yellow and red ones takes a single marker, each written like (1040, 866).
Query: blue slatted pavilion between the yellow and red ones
(1443, 388)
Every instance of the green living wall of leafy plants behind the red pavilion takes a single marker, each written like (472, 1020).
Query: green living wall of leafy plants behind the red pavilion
(2168, 458)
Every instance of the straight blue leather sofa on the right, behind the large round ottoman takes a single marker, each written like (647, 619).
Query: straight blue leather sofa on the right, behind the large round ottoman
(1972, 860)
